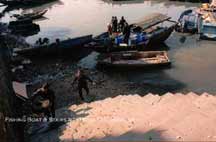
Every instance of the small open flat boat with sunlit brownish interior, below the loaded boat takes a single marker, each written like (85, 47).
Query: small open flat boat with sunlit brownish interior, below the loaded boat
(135, 59)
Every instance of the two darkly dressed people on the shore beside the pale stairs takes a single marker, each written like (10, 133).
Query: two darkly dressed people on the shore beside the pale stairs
(43, 99)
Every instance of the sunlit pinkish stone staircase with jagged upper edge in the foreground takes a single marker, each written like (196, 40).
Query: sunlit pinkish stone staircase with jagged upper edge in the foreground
(171, 117)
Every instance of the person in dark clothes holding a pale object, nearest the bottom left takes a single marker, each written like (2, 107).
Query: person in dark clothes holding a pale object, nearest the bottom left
(46, 103)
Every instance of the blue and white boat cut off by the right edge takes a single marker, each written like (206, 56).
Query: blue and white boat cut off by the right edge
(207, 27)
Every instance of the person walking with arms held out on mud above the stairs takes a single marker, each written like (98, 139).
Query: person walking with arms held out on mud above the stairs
(82, 80)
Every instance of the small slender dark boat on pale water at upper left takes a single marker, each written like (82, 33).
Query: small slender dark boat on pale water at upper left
(31, 16)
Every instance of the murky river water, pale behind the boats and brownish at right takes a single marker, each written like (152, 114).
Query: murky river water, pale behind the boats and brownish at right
(193, 61)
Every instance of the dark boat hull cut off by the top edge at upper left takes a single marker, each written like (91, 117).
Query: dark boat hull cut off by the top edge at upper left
(24, 2)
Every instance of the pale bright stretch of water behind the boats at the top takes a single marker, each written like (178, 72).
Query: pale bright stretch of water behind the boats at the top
(81, 17)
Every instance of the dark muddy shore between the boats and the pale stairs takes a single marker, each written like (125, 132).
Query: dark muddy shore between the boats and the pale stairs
(60, 74)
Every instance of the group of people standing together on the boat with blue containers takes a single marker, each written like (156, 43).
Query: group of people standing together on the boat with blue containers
(119, 27)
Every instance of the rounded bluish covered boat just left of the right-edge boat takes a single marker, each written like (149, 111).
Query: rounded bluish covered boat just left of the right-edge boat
(188, 22)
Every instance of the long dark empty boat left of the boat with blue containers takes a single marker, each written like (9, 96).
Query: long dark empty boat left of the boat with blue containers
(66, 47)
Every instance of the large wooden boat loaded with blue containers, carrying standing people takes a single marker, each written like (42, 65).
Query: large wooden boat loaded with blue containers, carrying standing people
(152, 29)
